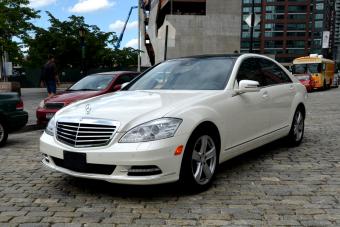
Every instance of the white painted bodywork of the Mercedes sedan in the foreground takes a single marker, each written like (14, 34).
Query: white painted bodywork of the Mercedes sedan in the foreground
(244, 121)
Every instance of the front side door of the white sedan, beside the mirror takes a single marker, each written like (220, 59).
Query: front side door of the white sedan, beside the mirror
(247, 112)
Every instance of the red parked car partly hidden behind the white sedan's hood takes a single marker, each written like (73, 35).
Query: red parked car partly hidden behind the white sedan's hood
(88, 87)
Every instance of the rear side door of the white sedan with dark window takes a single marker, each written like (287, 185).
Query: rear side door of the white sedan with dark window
(281, 92)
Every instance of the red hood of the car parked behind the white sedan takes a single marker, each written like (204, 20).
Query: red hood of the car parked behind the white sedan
(68, 97)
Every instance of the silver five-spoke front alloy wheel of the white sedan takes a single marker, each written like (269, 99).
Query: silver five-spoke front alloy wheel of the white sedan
(203, 162)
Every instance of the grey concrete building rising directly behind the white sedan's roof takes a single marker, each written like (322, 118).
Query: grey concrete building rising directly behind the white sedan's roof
(176, 28)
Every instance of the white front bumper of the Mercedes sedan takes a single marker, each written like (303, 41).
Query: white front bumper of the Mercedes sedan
(123, 156)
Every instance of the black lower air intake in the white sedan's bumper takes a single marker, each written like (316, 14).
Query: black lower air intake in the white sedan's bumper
(87, 168)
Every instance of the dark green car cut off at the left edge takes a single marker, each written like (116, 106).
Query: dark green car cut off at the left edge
(12, 115)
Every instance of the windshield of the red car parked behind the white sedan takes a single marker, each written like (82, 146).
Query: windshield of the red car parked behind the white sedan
(94, 82)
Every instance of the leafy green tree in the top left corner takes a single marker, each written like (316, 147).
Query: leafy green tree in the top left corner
(15, 17)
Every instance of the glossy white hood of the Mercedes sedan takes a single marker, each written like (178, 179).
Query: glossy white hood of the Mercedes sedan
(131, 108)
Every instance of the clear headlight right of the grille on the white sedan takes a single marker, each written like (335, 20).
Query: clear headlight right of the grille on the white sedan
(153, 130)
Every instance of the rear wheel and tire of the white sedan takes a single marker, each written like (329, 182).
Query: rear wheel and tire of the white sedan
(297, 129)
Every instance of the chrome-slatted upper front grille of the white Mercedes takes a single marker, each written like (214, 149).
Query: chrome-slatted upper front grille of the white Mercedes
(84, 134)
